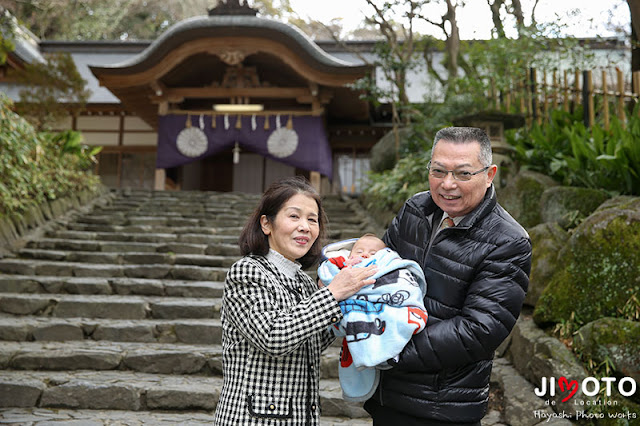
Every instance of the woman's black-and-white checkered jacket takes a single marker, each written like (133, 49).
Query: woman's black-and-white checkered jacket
(273, 331)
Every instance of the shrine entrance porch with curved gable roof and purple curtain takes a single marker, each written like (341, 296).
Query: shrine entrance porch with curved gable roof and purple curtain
(239, 101)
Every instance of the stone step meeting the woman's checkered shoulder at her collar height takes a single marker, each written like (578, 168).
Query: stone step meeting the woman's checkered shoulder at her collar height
(80, 269)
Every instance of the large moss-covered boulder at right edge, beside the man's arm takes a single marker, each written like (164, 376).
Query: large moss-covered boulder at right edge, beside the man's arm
(601, 272)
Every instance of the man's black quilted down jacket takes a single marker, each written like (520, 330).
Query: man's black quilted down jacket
(477, 276)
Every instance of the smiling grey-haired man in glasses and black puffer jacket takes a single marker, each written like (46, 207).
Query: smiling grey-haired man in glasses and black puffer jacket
(476, 259)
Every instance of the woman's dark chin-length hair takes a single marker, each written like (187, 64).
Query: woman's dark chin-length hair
(254, 241)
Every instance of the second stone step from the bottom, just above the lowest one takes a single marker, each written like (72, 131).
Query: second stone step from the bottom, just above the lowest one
(124, 390)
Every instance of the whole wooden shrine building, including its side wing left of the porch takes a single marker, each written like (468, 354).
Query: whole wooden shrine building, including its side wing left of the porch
(224, 102)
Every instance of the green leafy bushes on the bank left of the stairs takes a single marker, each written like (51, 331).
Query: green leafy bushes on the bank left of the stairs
(36, 167)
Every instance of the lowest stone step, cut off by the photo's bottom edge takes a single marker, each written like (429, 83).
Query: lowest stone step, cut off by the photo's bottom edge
(42, 416)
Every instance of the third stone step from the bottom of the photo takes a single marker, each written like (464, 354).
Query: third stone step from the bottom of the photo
(156, 358)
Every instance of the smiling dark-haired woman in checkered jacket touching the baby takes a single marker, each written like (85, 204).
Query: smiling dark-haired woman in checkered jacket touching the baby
(275, 318)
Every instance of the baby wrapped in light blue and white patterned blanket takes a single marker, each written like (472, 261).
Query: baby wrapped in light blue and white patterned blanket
(380, 319)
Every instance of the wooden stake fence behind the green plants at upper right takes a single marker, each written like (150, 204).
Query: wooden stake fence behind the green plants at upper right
(601, 93)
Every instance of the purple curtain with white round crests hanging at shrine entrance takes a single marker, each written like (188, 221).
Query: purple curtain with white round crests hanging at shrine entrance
(312, 151)
